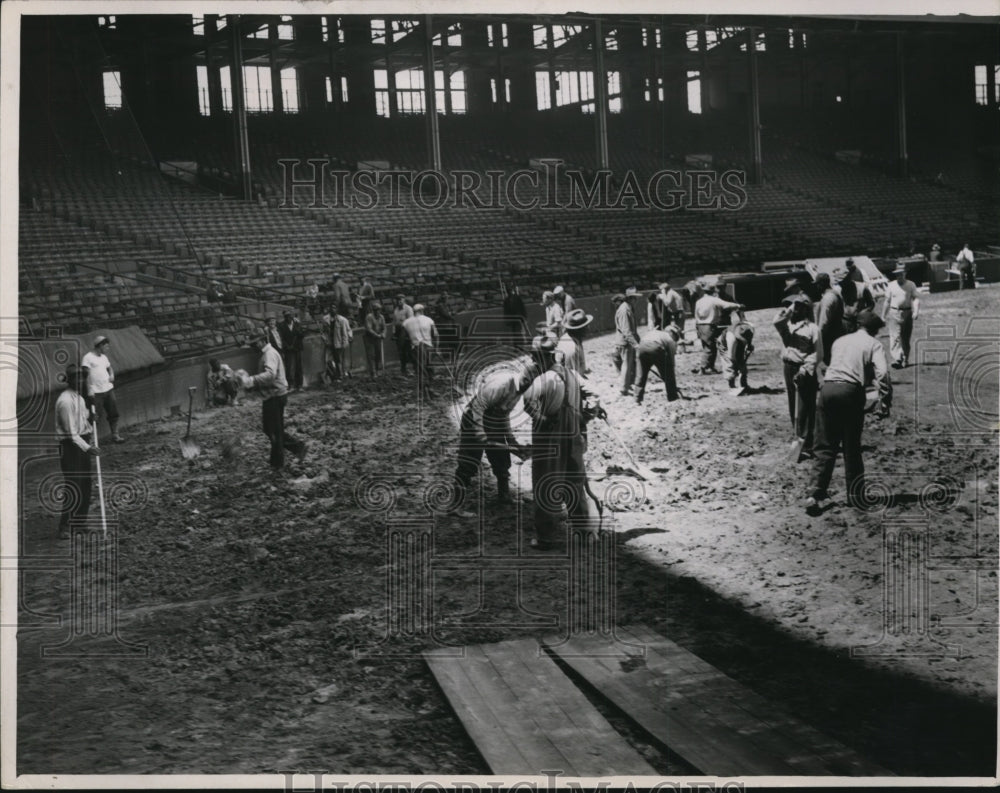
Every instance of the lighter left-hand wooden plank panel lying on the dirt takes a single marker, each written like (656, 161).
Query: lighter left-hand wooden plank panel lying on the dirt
(526, 717)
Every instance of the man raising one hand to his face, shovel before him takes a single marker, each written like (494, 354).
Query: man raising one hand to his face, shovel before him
(799, 357)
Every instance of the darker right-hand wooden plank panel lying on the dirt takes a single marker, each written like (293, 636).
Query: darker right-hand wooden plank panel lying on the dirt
(716, 724)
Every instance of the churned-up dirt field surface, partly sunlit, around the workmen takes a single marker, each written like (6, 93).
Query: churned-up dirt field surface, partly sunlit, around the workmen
(253, 630)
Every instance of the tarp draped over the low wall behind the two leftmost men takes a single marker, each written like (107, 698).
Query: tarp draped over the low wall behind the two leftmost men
(42, 362)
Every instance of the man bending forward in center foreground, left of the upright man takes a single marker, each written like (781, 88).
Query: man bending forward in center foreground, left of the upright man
(485, 428)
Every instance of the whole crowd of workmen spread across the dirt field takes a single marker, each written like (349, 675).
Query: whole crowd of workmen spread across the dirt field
(835, 370)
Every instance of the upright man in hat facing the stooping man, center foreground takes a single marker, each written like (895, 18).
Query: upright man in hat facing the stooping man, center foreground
(560, 408)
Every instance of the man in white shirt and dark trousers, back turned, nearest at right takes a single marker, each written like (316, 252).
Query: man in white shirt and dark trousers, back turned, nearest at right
(856, 362)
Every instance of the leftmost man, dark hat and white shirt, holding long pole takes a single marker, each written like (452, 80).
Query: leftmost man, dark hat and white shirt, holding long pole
(75, 433)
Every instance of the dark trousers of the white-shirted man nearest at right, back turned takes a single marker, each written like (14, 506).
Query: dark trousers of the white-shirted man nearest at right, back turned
(840, 417)
